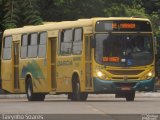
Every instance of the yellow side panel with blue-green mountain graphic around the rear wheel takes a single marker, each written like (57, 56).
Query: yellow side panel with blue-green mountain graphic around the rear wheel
(37, 69)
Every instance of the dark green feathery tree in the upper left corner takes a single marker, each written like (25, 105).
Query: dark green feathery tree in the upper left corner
(17, 13)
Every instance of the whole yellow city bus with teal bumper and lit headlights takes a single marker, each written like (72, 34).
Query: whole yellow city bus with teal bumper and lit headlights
(113, 55)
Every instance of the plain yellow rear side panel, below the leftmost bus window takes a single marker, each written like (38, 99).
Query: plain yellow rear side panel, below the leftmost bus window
(7, 75)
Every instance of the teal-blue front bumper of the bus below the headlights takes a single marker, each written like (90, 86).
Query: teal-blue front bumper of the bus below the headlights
(110, 86)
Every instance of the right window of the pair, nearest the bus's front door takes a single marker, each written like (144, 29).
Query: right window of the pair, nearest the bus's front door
(77, 43)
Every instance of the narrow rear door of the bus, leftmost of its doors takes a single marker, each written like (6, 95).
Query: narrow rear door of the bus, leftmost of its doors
(16, 65)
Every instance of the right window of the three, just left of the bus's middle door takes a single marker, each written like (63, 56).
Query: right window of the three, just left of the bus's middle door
(42, 44)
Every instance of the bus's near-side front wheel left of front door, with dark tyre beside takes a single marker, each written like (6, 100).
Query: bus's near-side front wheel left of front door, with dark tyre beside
(77, 95)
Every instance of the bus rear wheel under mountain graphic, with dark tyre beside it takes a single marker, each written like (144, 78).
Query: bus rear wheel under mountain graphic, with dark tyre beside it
(33, 96)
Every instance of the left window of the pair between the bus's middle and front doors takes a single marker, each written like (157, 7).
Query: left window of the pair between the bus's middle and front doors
(66, 42)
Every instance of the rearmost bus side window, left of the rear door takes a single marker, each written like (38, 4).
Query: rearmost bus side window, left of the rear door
(7, 46)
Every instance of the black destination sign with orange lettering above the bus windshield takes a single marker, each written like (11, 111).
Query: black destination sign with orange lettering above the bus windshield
(123, 25)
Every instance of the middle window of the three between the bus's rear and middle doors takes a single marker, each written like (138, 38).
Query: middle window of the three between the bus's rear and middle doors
(32, 45)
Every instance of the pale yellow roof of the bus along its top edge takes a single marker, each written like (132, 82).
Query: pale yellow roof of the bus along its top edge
(64, 25)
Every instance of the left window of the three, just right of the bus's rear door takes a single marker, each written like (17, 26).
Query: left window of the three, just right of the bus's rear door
(24, 46)
